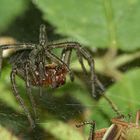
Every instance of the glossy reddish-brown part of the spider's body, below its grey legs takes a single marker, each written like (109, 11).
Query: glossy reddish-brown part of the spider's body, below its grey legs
(54, 76)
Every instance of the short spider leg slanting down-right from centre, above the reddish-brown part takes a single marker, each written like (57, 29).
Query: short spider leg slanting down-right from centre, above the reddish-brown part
(61, 62)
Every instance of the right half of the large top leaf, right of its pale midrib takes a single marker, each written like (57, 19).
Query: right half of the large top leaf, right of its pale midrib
(127, 21)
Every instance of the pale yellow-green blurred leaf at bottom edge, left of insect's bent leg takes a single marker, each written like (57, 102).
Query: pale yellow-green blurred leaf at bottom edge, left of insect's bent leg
(61, 131)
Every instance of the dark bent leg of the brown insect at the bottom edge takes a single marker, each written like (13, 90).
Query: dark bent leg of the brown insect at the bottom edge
(92, 129)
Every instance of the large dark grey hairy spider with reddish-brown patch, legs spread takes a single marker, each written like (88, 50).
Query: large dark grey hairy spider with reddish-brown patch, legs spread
(30, 63)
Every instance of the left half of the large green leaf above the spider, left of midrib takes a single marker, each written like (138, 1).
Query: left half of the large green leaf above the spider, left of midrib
(76, 19)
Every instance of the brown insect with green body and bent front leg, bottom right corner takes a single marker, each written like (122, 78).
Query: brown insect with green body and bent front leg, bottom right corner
(119, 130)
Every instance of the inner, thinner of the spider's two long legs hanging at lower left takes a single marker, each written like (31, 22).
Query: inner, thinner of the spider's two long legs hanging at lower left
(28, 88)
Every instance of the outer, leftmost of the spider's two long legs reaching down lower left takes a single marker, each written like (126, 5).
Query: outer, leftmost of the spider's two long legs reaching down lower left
(18, 97)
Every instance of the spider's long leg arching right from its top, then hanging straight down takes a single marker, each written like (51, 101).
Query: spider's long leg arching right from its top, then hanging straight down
(86, 55)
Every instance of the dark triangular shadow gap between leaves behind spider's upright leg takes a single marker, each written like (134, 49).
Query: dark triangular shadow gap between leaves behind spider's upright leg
(26, 27)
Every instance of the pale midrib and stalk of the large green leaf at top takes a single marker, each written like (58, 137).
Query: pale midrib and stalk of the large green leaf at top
(109, 57)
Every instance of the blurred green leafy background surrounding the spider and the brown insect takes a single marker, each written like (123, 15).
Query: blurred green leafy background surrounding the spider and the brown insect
(109, 29)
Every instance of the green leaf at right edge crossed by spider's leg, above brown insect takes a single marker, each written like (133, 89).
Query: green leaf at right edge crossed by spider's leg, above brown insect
(125, 94)
